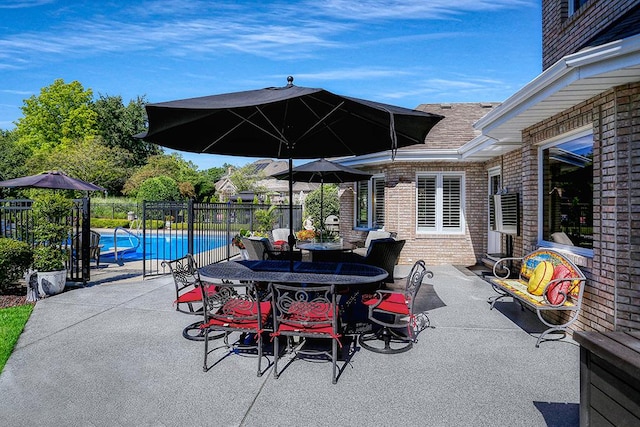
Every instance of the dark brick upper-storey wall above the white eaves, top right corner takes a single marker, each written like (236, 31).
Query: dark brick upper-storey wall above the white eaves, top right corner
(563, 34)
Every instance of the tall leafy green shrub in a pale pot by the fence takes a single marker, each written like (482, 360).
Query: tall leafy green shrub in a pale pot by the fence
(51, 232)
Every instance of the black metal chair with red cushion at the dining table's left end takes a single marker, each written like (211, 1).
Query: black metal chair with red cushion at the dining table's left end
(188, 292)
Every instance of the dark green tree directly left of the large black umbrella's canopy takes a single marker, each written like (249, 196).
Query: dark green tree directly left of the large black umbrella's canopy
(117, 124)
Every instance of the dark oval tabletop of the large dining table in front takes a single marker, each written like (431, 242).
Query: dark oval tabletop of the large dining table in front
(279, 271)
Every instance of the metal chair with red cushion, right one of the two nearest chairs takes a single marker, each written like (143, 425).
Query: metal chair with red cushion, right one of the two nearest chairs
(307, 312)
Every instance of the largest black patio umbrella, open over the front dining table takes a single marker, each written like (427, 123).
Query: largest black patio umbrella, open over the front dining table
(286, 123)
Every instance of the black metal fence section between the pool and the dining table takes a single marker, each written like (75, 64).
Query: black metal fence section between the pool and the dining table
(202, 229)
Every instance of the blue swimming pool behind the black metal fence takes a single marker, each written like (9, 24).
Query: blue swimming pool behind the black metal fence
(157, 247)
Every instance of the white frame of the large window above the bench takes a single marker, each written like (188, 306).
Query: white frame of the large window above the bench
(564, 138)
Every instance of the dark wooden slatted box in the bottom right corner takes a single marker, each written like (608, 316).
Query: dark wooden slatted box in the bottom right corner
(609, 378)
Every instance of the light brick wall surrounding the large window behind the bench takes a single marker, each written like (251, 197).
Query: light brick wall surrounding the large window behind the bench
(612, 295)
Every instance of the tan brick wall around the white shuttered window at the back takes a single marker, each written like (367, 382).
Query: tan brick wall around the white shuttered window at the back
(400, 214)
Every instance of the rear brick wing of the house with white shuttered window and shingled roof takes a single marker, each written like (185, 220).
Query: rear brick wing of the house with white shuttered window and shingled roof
(403, 196)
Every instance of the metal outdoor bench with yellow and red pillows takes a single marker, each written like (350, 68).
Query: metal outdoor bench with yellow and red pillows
(559, 288)
